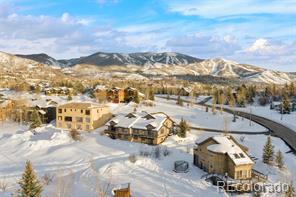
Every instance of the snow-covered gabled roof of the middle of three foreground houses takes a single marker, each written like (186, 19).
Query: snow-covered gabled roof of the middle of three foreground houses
(140, 120)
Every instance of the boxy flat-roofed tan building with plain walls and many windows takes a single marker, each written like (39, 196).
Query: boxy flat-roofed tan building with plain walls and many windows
(80, 115)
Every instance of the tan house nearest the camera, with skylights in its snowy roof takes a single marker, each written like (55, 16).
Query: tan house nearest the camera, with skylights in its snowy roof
(223, 155)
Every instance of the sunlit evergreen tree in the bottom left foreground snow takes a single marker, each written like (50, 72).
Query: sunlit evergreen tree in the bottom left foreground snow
(29, 184)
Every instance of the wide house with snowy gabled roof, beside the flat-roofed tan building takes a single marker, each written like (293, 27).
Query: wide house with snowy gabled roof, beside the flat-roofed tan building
(141, 127)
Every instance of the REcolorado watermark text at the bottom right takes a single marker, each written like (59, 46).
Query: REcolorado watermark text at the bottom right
(259, 187)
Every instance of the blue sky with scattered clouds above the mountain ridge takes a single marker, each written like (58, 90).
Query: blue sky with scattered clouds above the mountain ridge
(260, 32)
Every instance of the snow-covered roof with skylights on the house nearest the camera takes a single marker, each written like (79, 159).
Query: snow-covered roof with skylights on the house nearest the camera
(226, 145)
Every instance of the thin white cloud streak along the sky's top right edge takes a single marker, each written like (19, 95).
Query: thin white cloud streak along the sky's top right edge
(213, 8)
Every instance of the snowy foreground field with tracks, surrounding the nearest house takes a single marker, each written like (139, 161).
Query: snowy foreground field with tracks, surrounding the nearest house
(97, 159)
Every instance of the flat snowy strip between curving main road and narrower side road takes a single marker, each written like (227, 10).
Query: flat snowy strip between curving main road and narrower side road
(196, 115)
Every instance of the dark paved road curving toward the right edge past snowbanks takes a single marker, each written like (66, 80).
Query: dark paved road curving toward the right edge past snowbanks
(286, 134)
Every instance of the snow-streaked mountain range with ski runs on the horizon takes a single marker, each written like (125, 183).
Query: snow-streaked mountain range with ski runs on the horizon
(160, 64)
